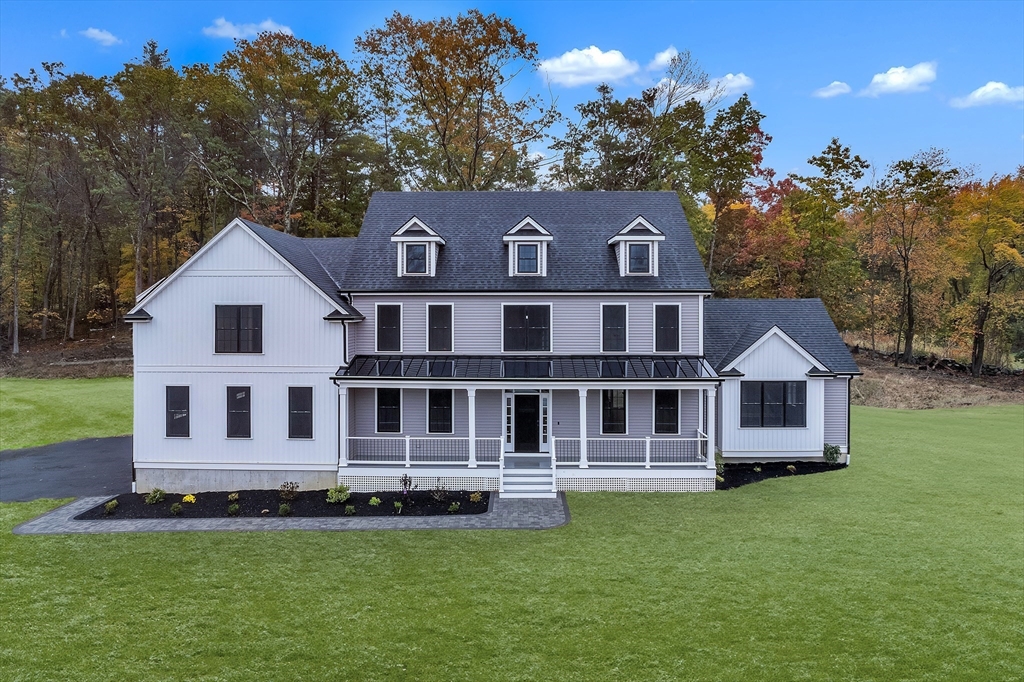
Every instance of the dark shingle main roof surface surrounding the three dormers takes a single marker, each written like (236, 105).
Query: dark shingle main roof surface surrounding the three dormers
(477, 260)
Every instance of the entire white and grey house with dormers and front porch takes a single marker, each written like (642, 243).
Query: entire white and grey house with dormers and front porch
(522, 343)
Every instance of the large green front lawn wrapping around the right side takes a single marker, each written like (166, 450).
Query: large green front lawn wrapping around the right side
(906, 567)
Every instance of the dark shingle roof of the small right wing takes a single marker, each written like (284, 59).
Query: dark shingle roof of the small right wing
(734, 325)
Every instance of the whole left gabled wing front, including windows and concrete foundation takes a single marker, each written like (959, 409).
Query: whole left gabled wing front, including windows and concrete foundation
(233, 366)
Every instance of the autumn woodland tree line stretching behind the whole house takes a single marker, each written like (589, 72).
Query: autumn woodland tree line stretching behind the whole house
(111, 183)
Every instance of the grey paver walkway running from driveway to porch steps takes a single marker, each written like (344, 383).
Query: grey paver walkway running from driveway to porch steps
(502, 515)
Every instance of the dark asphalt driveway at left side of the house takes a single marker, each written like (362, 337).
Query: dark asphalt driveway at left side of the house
(73, 470)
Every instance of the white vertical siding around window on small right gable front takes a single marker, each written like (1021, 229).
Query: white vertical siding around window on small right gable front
(775, 360)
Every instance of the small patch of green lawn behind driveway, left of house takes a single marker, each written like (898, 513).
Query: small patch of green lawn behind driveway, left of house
(37, 412)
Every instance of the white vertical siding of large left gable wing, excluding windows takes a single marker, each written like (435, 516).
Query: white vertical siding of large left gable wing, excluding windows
(177, 349)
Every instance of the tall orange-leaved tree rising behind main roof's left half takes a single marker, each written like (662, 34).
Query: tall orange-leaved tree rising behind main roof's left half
(439, 92)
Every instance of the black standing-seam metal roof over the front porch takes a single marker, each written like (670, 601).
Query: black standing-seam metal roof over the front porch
(625, 368)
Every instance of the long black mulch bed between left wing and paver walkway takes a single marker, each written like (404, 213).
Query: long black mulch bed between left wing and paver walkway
(307, 503)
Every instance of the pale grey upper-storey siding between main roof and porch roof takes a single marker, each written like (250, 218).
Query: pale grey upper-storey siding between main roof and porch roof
(576, 322)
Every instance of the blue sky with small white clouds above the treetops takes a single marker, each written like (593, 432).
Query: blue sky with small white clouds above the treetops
(909, 76)
